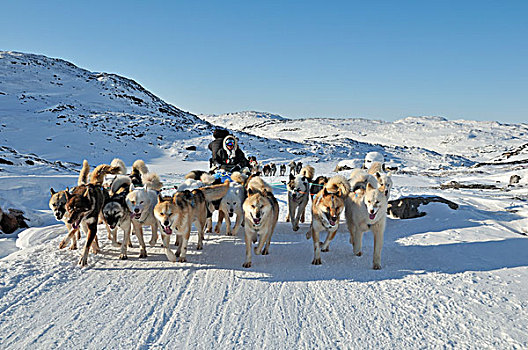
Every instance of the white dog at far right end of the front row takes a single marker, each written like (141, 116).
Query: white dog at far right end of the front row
(366, 209)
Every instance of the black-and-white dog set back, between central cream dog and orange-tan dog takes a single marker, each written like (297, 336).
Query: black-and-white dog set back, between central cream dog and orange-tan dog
(298, 195)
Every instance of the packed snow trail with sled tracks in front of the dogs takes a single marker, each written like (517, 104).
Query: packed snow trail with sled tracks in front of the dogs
(432, 292)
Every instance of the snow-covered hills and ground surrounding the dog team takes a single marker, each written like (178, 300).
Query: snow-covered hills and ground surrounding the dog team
(450, 279)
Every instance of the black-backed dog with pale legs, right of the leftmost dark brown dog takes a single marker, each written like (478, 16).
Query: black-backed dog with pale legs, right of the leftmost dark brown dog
(116, 212)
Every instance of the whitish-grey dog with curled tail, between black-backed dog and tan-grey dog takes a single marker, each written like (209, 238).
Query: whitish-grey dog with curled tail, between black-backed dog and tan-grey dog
(141, 203)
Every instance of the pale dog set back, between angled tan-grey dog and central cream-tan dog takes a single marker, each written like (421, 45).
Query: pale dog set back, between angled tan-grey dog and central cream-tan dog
(230, 205)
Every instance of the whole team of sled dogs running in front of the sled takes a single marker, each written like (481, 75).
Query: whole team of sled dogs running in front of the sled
(131, 201)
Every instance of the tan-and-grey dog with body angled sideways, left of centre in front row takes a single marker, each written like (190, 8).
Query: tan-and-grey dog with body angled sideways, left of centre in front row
(177, 214)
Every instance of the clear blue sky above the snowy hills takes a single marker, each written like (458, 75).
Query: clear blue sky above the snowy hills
(372, 59)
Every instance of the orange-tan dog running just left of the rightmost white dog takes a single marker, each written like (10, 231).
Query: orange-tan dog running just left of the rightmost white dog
(327, 206)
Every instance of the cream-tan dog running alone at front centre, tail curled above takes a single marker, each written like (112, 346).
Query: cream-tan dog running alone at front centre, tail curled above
(261, 212)
